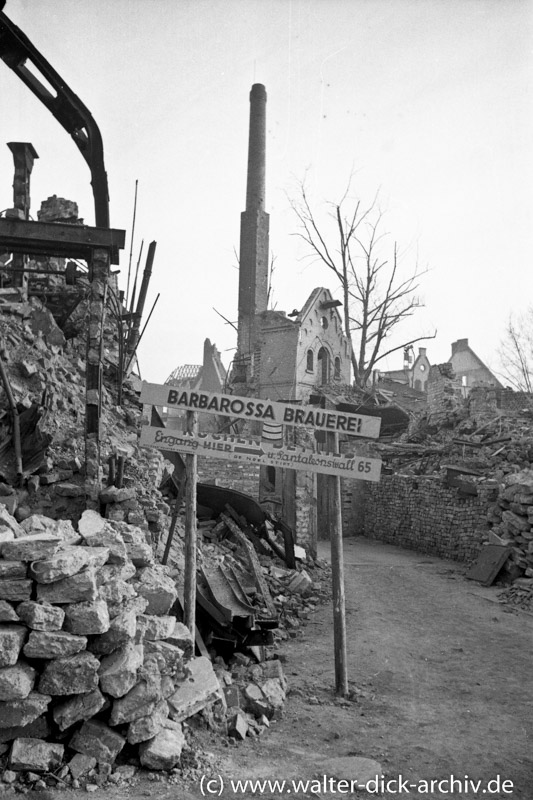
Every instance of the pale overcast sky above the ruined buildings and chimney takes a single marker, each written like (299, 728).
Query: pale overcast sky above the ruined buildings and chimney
(427, 101)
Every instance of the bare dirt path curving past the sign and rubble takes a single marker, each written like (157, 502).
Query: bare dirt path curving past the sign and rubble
(441, 685)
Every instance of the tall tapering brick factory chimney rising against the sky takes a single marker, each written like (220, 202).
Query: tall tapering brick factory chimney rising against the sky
(253, 258)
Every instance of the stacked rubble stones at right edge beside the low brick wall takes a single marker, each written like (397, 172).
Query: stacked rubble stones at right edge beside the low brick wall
(511, 518)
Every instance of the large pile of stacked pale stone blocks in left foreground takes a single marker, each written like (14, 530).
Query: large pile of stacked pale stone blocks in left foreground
(92, 663)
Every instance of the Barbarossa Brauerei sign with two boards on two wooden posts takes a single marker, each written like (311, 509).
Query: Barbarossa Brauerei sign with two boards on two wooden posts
(333, 464)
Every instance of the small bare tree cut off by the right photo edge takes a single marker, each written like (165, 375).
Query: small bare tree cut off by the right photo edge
(516, 352)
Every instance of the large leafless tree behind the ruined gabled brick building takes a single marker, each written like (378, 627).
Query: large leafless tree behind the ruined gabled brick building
(376, 299)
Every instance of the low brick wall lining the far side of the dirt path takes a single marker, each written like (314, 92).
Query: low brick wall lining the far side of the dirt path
(420, 513)
